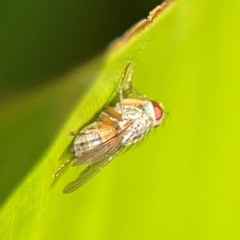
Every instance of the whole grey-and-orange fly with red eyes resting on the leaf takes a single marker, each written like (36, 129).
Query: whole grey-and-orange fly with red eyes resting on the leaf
(117, 127)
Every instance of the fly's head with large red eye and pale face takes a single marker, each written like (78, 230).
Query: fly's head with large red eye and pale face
(155, 112)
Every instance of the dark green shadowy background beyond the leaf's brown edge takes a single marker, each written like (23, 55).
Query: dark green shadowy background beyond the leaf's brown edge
(43, 39)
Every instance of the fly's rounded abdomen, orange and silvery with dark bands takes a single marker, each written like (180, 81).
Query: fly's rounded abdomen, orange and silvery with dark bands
(91, 137)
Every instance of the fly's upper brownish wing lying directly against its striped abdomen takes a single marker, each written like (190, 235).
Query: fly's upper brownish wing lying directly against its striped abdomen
(105, 149)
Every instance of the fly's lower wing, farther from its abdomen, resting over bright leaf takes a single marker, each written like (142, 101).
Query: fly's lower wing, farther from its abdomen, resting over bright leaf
(89, 172)
